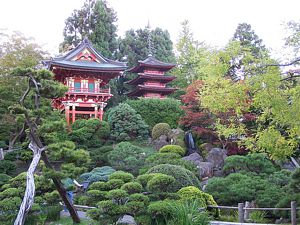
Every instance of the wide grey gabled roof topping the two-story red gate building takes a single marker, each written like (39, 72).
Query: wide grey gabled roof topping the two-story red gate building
(85, 56)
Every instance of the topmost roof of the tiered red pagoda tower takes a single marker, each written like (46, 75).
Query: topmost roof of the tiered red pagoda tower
(151, 62)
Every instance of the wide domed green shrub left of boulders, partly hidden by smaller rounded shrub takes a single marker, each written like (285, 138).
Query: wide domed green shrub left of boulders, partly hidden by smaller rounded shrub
(183, 177)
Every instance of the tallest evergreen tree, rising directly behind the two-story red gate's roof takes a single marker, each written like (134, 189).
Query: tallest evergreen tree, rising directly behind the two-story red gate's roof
(96, 21)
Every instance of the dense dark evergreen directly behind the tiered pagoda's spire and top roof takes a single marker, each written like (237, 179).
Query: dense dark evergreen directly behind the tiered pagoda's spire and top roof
(135, 45)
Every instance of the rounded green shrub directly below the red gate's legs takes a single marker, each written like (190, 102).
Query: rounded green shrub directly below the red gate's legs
(90, 133)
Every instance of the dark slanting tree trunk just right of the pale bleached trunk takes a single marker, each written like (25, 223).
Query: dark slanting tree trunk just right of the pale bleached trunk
(62, 191)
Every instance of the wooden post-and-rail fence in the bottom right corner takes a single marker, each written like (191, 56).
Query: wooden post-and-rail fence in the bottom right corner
(243, 212)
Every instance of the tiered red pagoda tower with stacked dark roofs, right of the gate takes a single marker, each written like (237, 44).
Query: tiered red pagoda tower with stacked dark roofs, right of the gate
(151, 80)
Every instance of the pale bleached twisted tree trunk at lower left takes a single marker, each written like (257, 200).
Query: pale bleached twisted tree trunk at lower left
(28, 198)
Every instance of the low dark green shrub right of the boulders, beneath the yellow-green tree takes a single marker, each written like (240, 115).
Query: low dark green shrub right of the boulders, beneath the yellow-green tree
(256, 163)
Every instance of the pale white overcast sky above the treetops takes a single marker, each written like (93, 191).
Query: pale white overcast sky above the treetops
(212, 21)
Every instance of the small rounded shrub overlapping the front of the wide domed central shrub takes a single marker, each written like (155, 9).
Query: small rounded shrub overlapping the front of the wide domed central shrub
(160, 183)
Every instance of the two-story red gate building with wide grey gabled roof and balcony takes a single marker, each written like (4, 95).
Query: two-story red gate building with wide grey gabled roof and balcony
(85, 71)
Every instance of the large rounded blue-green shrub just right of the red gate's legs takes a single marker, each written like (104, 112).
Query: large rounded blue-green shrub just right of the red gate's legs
(126, 123)
